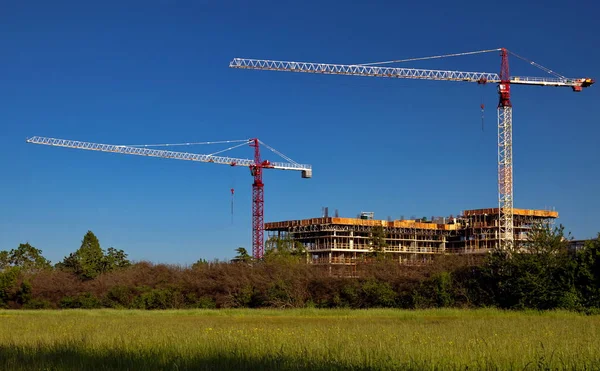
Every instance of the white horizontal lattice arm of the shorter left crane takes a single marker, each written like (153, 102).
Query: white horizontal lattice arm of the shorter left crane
(163, 154)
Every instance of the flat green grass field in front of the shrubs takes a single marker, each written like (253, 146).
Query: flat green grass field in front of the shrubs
(298, 340)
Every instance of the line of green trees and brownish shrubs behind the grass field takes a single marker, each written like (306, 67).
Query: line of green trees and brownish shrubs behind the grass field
(547, 276)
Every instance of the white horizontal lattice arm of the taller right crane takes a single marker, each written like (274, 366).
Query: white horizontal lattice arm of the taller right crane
(396, 72)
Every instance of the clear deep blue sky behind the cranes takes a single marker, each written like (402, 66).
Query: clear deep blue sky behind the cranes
(157, 72)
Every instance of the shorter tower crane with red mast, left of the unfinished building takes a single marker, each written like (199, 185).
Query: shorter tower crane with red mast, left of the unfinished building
(256, 166)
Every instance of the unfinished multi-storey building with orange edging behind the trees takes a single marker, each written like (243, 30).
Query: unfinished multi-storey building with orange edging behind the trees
(347, 241)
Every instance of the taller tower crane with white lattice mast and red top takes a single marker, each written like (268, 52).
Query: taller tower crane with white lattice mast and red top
(503, 79)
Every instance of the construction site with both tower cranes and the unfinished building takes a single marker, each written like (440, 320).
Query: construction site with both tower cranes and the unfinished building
(346, 241)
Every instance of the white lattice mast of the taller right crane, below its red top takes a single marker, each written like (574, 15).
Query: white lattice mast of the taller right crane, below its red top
(505, 178)
